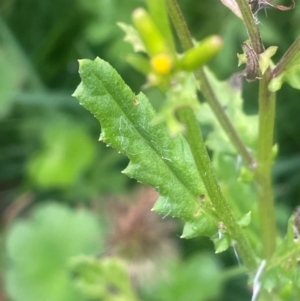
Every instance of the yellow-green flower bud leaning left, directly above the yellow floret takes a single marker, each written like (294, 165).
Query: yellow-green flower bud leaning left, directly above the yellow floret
(150, 34)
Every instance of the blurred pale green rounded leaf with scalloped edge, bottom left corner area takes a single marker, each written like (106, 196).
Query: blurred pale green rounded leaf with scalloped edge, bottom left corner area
(39, 250)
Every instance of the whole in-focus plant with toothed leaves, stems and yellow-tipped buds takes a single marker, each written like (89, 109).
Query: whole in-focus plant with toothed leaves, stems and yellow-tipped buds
(228, 195)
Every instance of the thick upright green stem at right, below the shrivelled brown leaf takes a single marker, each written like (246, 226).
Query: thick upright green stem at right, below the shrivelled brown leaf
(263, 177)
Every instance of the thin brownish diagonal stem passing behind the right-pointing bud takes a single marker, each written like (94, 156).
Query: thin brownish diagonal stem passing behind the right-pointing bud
(206, 89)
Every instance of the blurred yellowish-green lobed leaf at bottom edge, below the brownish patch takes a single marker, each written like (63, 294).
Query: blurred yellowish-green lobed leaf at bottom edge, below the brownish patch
(106, 279)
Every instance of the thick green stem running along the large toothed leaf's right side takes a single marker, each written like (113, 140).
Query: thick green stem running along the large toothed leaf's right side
(202, 160)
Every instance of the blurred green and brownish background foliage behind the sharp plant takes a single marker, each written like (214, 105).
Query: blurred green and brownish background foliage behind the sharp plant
(62, 193)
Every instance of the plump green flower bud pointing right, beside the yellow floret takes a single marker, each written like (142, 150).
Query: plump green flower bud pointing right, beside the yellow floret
(201, 53)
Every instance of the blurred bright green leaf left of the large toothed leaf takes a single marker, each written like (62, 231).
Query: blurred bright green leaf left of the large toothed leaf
(66, 152)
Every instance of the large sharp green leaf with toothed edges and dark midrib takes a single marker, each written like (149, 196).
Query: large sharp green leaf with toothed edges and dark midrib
(156, 159)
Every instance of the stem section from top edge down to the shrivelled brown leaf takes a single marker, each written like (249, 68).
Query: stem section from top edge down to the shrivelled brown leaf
(251, 26)
